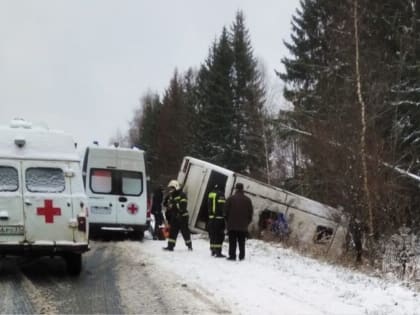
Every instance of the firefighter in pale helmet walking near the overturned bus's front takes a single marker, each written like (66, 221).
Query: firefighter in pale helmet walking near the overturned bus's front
(177, 207)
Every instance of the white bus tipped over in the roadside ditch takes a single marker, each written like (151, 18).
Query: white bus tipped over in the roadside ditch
(311, 225)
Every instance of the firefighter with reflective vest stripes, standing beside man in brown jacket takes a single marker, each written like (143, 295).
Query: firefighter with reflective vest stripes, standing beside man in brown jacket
(216, 224)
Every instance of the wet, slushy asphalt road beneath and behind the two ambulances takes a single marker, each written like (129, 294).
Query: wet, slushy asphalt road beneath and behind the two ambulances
(111, 282)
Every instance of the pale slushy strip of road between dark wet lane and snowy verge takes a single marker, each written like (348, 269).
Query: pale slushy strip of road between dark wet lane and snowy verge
(165, 292)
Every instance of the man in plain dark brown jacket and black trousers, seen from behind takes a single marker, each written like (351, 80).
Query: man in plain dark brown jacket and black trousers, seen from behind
(239, 211)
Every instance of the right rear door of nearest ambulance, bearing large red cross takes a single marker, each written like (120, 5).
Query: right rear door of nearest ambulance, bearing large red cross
(47, 201)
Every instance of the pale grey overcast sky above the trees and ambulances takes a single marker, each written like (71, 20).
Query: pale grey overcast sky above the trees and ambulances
(82, 65)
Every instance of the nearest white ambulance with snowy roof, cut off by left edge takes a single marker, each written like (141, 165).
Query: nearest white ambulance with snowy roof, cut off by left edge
(43, 206)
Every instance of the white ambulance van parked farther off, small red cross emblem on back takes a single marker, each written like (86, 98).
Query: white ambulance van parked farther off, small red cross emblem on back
(115, 183)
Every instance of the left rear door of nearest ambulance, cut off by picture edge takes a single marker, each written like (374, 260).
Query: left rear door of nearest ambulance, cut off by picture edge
(11, 204)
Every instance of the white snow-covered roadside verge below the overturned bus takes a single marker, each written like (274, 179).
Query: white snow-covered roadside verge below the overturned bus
(274, 280)
